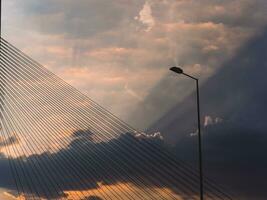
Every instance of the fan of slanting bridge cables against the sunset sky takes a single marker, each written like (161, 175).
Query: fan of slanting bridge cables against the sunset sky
(60, 144)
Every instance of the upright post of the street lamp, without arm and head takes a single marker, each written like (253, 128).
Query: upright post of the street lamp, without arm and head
(199, 145)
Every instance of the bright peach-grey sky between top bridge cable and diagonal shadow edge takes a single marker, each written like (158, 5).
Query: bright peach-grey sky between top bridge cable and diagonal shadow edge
(118, 52)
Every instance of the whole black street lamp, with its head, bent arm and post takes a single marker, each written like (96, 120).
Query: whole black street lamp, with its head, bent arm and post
(180, 71)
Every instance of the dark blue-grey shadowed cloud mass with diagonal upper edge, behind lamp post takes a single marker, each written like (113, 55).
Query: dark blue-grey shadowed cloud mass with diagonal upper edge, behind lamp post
(234, 148)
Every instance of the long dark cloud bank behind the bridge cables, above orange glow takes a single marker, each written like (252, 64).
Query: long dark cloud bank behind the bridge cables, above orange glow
(83, 164)
